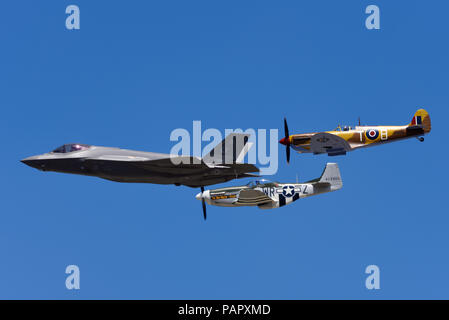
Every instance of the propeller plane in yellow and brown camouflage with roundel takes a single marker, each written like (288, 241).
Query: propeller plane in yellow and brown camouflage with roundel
(342, 140)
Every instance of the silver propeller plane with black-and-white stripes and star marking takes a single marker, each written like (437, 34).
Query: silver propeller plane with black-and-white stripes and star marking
(268, 195)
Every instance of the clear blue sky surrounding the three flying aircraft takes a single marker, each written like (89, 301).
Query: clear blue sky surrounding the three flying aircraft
(136, 70)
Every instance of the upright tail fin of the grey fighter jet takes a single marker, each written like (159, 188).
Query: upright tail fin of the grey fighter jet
(231, 149)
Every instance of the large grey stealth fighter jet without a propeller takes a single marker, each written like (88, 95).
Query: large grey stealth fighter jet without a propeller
(222, 164)
